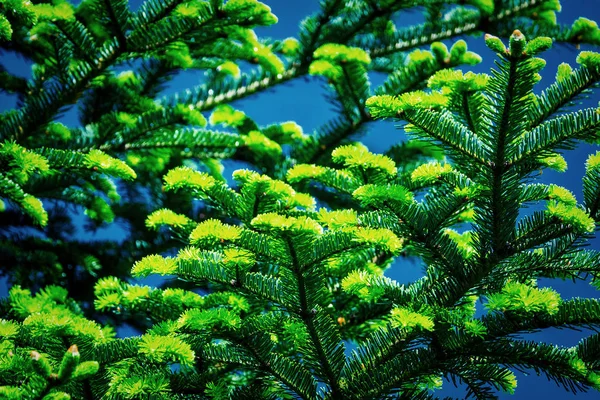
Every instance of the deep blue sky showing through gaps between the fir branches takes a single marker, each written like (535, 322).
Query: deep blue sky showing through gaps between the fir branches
(303, 101)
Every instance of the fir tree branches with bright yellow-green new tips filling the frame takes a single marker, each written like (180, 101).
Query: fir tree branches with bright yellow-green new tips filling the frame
(288, 288)
